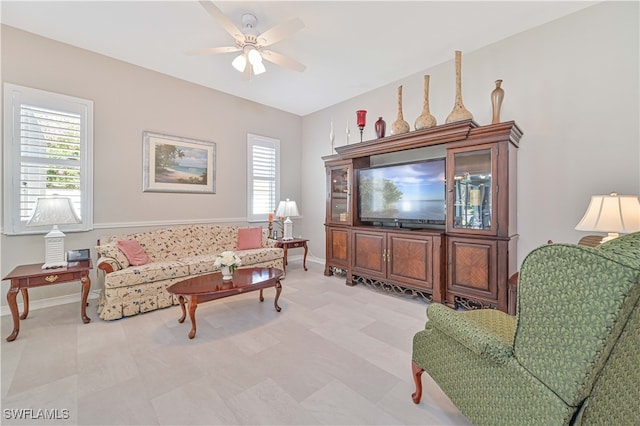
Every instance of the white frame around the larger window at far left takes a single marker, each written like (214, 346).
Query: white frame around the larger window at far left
(14, 97)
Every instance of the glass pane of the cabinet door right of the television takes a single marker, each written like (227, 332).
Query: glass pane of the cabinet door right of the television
(472, 190)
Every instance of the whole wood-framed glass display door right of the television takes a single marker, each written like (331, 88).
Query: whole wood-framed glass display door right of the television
(471, 183)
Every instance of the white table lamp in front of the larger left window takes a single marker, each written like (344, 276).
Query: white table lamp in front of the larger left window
(53, 211)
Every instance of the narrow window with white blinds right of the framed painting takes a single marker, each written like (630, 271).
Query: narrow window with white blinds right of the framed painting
(263, 176)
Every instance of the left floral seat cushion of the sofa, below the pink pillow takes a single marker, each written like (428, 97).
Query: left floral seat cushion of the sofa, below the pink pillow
(148, 273)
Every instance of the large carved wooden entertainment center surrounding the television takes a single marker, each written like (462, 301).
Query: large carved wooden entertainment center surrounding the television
(467, 260)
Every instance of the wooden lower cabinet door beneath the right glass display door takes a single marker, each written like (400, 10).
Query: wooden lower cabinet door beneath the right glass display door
(472, 269)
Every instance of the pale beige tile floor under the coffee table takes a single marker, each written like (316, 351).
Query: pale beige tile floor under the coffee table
(335, 355)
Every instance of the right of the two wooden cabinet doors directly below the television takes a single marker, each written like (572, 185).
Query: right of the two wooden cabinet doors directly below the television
(409, 259)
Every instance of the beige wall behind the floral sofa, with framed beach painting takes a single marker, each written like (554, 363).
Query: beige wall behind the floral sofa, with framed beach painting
(127, 101)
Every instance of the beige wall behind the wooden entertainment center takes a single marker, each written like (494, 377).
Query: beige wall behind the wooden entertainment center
(571, 85)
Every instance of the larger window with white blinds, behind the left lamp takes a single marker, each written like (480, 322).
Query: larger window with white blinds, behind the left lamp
(48, 146)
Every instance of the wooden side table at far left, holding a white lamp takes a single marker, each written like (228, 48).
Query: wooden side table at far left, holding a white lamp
(24, 277)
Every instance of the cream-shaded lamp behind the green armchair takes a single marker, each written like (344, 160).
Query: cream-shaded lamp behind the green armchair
(613, 214)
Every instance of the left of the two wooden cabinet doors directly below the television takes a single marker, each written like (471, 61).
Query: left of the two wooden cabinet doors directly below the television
(369, 253)
